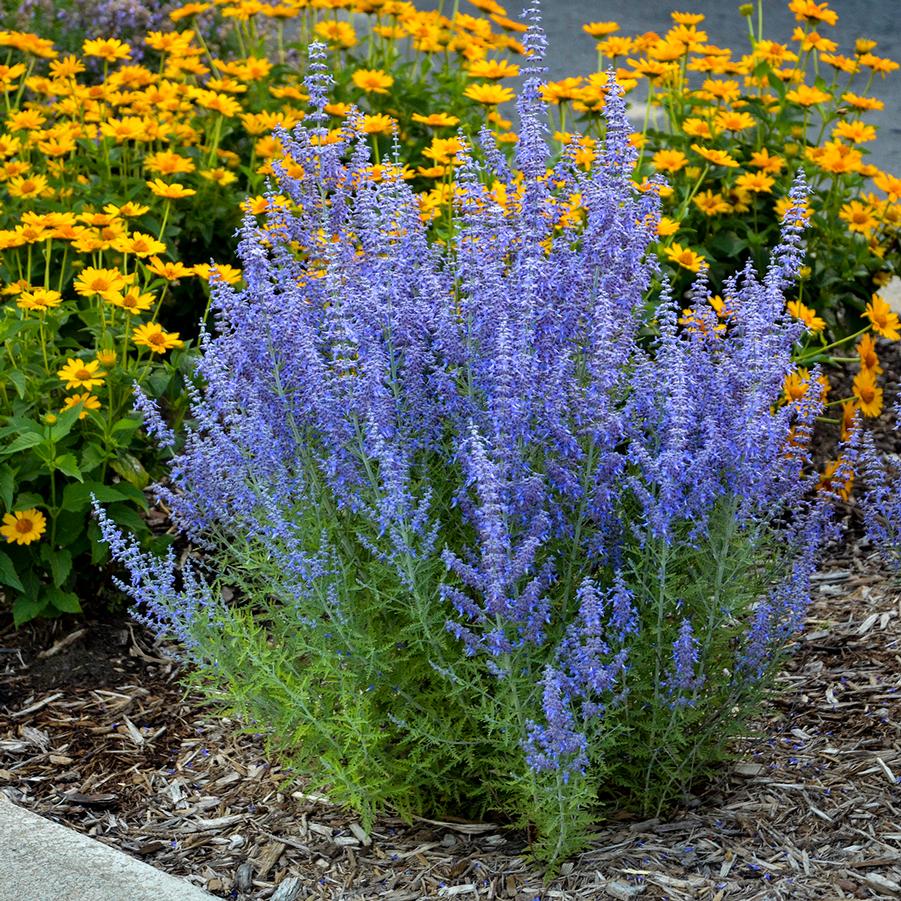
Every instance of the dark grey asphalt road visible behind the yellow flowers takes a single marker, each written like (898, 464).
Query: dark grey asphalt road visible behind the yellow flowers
(571, 51)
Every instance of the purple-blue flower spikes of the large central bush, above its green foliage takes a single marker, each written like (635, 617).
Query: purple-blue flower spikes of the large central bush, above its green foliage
(505, 407)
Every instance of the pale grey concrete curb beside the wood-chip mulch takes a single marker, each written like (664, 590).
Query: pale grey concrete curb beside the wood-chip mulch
(43, 861)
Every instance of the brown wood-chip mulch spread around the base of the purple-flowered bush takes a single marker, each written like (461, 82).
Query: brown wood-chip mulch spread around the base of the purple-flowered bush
(99, 736)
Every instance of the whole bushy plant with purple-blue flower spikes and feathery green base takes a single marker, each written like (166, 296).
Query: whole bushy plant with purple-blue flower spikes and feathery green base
(483, 528)
